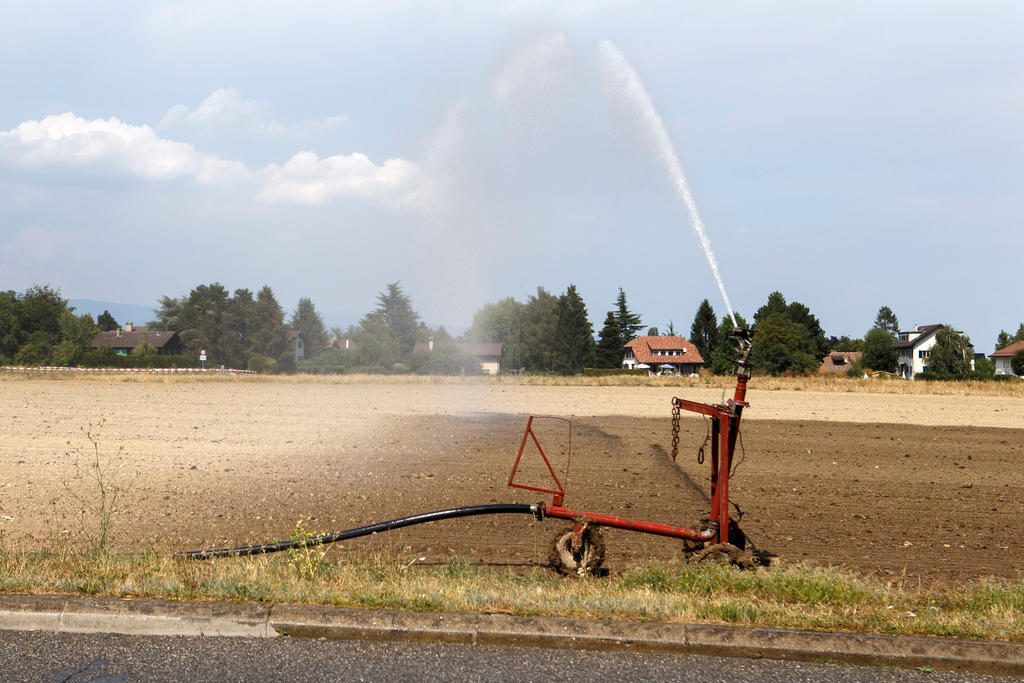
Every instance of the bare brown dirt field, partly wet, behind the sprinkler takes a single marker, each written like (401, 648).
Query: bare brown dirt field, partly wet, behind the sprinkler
(927, 486)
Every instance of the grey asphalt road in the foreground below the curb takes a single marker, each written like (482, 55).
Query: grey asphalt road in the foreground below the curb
(78, 658)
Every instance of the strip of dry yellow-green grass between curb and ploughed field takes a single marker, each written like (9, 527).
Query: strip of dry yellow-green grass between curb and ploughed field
(792, 596)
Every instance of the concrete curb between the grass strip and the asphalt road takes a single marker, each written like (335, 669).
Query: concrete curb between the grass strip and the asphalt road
(62, 614)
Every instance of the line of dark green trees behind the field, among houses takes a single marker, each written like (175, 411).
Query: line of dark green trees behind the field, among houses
(545, 333)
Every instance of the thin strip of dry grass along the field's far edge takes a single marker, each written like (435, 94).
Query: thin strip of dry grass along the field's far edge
(820, 383)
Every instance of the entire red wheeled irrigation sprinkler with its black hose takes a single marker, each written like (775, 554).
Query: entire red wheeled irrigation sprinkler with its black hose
(580, 549)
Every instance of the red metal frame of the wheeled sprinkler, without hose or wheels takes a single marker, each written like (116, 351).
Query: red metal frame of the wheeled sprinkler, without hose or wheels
(726, 428)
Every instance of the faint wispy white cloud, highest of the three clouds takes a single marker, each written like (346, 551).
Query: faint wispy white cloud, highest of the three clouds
(228, 110)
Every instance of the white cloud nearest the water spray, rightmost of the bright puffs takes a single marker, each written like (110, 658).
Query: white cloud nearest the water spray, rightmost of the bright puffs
(306, 179)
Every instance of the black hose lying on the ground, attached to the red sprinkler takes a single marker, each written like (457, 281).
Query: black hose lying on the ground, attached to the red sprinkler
(468, 511)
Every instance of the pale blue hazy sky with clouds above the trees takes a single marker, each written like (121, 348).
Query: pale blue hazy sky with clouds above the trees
(851, 156)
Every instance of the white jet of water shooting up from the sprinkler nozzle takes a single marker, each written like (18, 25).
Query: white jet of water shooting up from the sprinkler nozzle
(627, 83)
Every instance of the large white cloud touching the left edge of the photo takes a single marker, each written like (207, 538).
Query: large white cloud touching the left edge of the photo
(70, 143)
